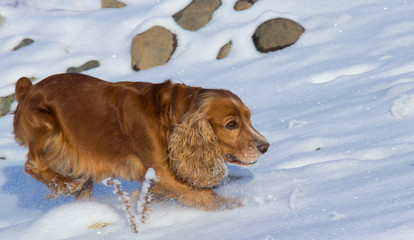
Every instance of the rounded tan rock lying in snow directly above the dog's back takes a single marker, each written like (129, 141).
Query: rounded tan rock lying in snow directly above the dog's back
(152, 48)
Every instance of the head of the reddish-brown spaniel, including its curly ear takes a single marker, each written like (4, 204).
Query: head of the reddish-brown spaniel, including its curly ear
(217, 129)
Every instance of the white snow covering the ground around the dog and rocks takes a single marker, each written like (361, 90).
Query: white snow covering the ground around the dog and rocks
(337, 108)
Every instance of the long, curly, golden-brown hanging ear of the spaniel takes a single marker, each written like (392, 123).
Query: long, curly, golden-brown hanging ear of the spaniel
(194, 153)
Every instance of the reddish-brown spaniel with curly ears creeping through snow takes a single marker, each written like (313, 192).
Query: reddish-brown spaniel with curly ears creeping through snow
(79, 129)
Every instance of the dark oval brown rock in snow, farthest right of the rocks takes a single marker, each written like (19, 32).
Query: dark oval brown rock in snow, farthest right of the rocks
(276, 34)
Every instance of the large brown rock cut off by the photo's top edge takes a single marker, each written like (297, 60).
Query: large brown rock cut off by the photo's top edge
(197, 14)
